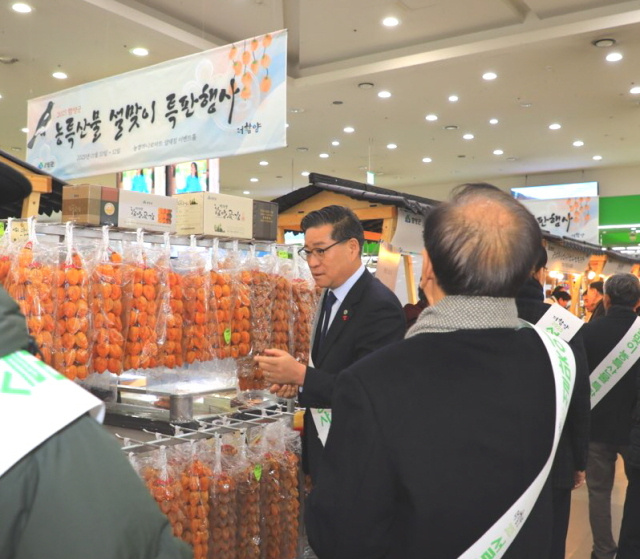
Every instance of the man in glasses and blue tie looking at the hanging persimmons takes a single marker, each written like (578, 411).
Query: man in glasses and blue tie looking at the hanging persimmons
(357, 315)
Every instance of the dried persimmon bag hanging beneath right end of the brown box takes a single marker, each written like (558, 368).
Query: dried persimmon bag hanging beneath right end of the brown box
(106, 309)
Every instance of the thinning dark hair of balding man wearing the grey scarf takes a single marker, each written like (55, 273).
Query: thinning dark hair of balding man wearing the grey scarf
(482, 242)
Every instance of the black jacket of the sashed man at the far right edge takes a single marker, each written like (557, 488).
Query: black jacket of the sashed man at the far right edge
(611, 417)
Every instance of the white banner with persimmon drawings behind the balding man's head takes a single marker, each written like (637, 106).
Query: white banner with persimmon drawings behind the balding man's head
(575, 218)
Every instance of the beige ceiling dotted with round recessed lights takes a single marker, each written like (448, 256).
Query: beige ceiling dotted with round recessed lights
(548, 71)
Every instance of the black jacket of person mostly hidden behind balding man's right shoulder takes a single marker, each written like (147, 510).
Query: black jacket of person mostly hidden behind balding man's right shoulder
(573, 448)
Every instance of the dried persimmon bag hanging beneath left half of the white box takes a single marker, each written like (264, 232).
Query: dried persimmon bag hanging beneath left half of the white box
(143, 279)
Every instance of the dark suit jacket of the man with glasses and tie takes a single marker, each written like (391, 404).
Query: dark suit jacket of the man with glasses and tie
(374, 318)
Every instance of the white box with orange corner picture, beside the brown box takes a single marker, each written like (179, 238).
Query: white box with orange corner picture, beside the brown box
(149, 211)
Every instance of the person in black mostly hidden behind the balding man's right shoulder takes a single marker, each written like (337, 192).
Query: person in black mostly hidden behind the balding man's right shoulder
(569, 465)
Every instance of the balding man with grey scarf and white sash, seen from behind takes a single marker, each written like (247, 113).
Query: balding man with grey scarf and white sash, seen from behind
(435, 437)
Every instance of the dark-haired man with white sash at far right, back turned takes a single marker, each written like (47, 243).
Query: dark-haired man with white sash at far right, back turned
(611, 416)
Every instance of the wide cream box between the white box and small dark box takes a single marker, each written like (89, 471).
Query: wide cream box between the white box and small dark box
(214, 215)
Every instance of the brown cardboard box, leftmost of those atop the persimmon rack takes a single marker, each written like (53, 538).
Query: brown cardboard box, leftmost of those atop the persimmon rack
(90, 204)
